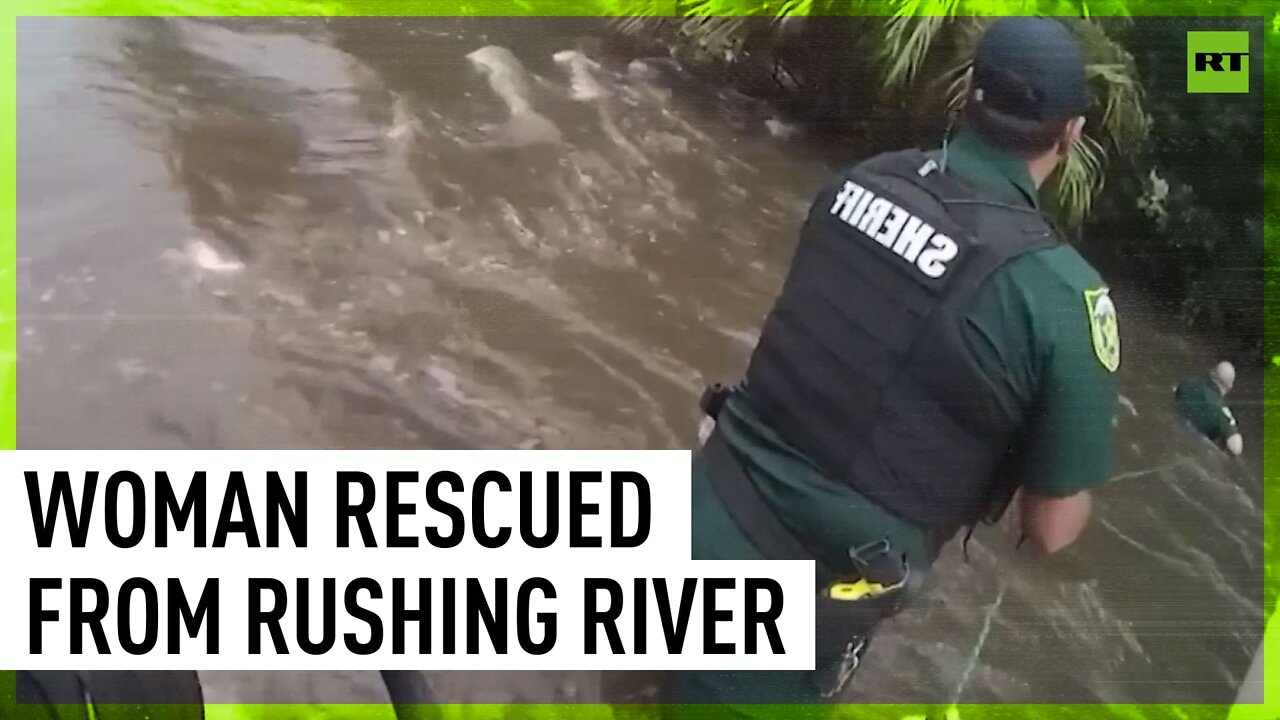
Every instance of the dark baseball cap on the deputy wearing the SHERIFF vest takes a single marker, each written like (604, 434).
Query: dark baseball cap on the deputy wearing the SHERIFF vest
(1031, 69)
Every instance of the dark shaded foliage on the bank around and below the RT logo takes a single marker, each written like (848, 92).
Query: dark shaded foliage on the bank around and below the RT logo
(1197, 239)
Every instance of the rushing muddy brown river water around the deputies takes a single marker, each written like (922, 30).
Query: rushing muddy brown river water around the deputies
(304, 234)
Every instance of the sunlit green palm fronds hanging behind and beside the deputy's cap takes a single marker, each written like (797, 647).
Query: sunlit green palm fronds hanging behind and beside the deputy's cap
(906, 61)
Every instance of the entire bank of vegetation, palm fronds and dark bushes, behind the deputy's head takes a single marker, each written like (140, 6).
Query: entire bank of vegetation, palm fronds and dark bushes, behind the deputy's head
(1165, 190)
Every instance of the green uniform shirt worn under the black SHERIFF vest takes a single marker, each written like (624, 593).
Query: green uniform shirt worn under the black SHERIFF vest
(1031, 332)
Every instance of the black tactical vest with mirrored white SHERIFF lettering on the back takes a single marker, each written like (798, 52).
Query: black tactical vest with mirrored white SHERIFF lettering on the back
(863, 363)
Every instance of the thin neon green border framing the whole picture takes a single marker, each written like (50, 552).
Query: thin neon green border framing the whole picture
(12, 10)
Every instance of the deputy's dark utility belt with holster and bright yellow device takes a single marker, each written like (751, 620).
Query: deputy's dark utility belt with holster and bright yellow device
(851, 601)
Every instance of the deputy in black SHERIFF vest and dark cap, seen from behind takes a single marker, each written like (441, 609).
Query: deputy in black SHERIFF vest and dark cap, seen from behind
(936, 350)
